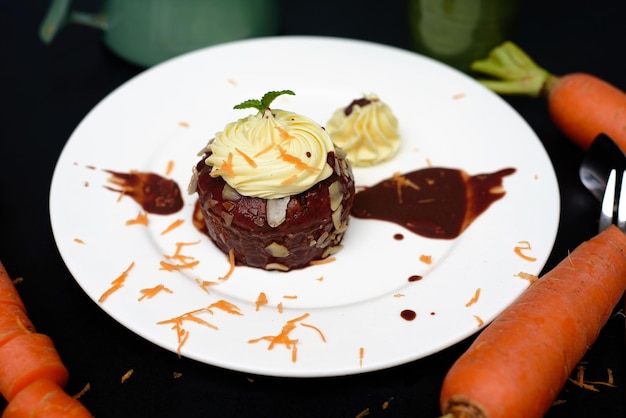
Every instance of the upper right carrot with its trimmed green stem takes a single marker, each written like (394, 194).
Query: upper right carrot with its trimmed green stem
(581, 105)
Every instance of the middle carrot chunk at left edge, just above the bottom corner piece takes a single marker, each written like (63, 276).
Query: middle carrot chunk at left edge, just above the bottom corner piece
(27, 358)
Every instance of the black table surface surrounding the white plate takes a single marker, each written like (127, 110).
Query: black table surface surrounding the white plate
(47, 90)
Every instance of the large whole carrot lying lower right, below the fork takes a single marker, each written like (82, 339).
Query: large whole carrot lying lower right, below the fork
(518, 365)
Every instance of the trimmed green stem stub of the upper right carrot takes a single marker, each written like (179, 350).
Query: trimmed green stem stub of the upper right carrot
(512, 71)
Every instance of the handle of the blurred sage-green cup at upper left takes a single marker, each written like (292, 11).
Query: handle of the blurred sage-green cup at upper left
(59, 14)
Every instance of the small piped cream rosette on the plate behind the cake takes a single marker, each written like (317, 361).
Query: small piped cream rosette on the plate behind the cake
(367, 130)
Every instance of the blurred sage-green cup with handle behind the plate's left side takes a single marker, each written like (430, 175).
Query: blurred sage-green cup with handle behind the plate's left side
(147, 32)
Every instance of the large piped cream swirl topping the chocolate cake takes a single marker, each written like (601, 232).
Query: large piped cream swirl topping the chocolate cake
(271, 155)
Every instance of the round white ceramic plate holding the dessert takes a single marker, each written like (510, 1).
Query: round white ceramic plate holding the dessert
(353, 305)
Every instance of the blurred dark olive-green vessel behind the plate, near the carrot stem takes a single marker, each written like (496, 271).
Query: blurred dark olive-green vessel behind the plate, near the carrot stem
(458, 32)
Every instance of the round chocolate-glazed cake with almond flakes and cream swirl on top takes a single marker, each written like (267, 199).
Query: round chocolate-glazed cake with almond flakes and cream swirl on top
(275, 208)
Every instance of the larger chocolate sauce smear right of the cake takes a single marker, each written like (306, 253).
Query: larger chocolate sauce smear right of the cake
(432, 202)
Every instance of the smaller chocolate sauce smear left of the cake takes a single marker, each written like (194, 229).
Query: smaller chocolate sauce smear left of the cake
(154, 193)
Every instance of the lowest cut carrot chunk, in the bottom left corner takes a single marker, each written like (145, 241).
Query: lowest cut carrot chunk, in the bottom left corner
(44, 399)
